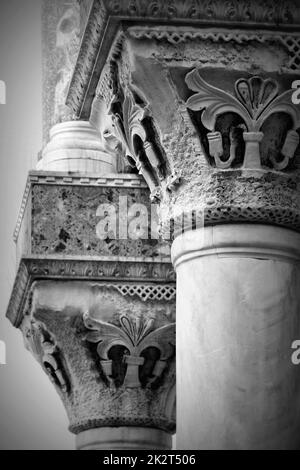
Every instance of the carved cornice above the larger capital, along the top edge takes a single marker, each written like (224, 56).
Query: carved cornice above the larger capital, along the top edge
(106, 18)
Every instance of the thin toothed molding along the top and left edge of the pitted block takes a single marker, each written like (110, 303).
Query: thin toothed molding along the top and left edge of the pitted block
(64, 179)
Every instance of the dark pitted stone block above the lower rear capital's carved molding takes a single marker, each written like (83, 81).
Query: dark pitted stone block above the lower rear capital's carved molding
(61, 216)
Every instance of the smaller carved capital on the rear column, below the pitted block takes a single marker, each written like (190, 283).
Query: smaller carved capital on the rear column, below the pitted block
(109, 355)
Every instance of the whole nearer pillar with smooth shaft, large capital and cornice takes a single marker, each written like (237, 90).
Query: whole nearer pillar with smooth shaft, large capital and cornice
(201, 100)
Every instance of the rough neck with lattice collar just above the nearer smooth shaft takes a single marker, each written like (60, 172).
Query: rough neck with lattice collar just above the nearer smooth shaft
(235, 196)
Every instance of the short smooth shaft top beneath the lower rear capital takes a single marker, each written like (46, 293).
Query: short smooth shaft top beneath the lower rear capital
(123, 438)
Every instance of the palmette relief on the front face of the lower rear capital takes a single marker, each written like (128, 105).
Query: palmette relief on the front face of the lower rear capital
(134, 338)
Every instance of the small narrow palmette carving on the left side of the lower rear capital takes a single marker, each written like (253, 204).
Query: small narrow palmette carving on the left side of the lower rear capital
(44, 348)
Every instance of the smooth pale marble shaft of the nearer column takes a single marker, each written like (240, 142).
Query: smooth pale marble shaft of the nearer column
(238, 313)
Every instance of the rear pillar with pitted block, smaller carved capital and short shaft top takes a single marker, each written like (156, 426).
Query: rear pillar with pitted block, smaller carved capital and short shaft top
(98, 311)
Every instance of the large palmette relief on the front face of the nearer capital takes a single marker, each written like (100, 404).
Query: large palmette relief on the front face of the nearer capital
(255, 100)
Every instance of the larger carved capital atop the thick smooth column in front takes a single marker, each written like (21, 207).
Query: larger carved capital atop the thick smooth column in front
(206, 117)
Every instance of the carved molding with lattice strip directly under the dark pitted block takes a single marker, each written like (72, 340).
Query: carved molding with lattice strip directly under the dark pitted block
(147, 279)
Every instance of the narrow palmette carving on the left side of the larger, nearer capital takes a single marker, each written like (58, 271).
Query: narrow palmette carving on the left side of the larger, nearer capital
(133, 133)
